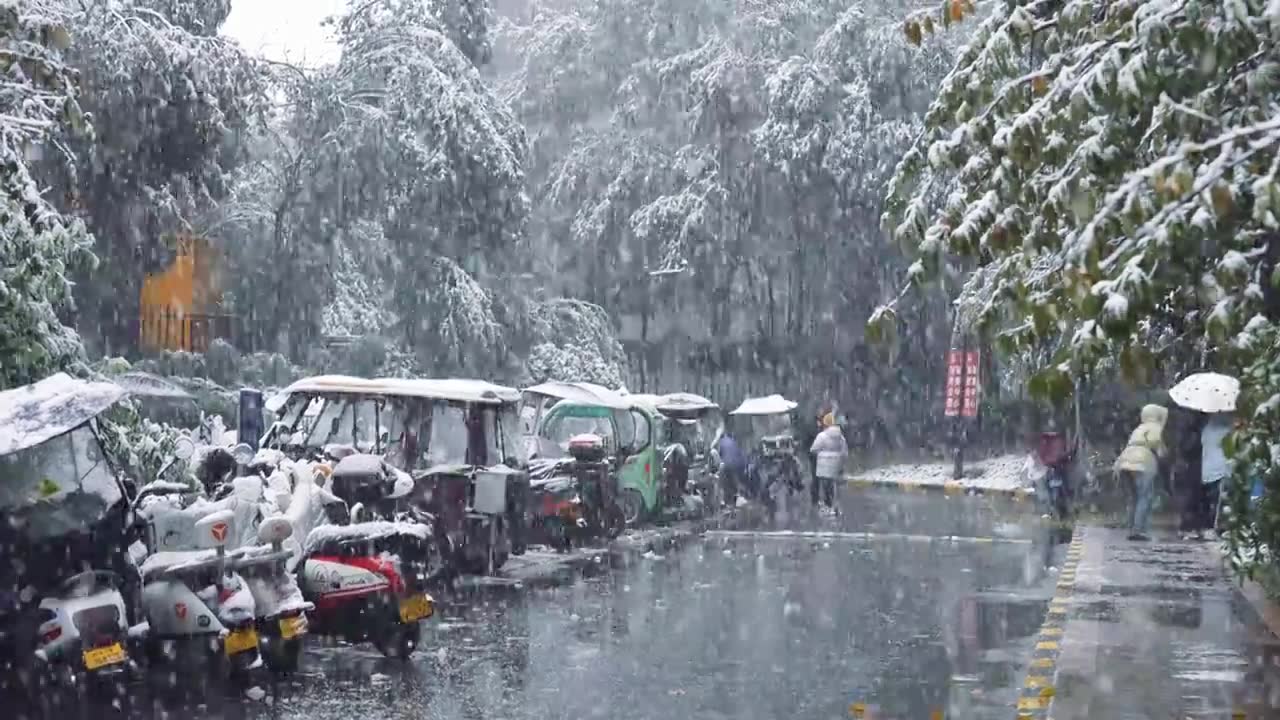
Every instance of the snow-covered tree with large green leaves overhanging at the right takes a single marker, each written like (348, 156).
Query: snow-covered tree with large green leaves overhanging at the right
(1114, 171)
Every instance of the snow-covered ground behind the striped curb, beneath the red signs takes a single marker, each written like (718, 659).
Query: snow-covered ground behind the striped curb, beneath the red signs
(995, 476)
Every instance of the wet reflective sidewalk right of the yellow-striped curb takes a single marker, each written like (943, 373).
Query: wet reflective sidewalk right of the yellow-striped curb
(1154, 631)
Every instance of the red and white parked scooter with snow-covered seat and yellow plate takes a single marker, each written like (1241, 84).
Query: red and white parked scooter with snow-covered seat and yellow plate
(367, 569)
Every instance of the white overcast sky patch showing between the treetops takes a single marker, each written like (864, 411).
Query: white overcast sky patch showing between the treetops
(285, 30)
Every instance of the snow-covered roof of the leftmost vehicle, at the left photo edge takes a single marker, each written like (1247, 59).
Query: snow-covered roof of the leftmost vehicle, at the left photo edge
(56, 405)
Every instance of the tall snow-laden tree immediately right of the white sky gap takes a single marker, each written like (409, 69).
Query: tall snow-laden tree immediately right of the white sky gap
(427, 152)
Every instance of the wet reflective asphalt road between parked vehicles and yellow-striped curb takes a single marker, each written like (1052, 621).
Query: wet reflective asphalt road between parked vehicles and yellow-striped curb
(732, 626)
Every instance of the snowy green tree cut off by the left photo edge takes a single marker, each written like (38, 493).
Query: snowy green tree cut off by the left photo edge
(39, 247)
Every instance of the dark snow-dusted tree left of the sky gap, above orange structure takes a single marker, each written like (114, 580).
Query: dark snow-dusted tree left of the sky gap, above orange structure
(168, 106)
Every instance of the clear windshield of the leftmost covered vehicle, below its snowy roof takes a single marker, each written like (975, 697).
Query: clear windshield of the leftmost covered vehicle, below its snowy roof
(58, 487)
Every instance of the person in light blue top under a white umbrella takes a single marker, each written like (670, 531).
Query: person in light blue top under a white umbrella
(1215, 397)
